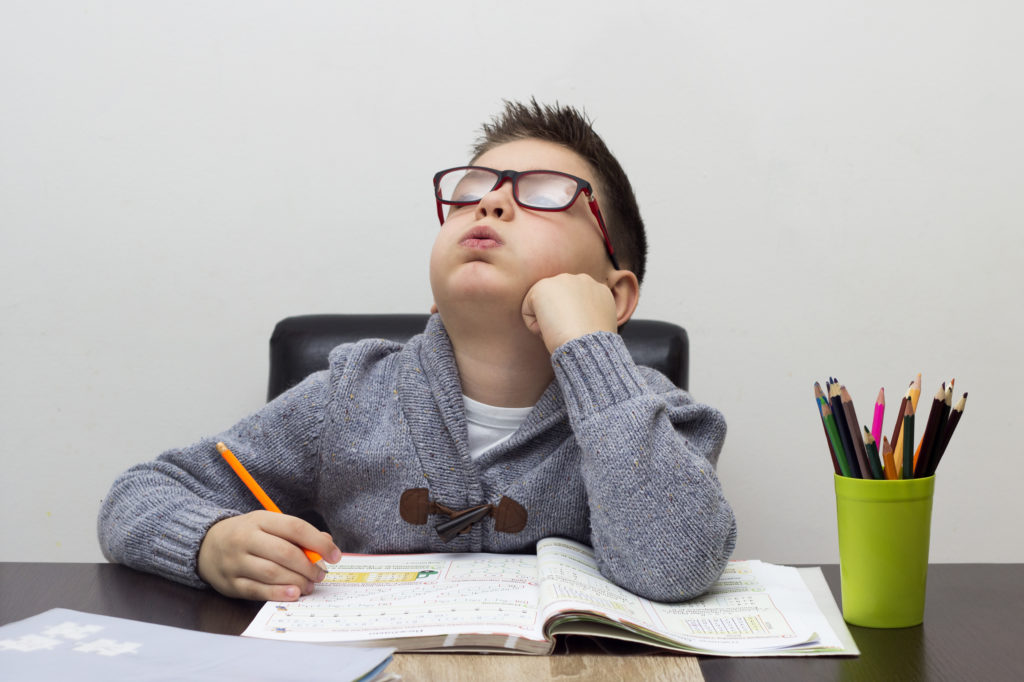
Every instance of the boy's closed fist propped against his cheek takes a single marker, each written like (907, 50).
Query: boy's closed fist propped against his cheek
(568, 307)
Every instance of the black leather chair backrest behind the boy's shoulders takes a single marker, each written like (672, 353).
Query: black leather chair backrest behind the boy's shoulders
(301, 346)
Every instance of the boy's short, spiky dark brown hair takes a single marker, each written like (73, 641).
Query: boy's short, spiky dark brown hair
(572, 130)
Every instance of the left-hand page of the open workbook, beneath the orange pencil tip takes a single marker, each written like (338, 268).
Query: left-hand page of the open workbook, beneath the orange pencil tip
(399, 596)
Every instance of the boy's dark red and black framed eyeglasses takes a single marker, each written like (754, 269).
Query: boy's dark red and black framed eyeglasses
(536, 190)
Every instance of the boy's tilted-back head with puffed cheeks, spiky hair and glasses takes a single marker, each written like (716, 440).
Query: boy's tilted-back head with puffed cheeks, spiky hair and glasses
(535, 204)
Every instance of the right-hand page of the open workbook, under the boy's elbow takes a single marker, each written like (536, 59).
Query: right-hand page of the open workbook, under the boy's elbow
(753, 608)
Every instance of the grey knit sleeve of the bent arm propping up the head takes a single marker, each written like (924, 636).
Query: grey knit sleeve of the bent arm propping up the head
(660, 524)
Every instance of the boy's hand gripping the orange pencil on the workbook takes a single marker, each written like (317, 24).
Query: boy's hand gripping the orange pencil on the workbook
(260, 557)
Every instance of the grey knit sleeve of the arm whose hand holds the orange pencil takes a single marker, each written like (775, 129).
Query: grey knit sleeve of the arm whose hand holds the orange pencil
(157, 514)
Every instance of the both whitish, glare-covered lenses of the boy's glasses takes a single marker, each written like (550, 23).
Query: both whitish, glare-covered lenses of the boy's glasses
(540, 190)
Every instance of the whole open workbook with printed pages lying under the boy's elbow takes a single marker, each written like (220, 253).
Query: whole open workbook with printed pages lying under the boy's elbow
(520, 604)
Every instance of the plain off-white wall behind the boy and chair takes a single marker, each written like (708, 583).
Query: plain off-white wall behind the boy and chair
(830, 188)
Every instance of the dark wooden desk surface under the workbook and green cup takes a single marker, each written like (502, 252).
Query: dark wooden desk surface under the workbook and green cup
(974, 630)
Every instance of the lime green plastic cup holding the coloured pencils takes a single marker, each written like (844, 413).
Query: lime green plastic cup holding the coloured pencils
(884, 531)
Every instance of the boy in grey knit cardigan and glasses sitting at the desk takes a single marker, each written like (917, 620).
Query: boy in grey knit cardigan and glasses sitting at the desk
(520, 405)
